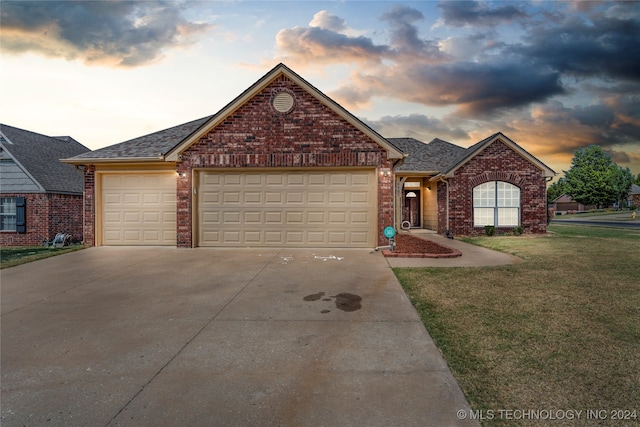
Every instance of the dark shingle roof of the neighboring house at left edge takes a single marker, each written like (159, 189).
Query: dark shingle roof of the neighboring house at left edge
(40, 155)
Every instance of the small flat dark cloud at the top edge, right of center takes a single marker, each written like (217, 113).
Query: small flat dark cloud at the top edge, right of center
(479, 14)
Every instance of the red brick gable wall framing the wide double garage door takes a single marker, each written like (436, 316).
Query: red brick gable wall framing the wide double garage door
(256, 136)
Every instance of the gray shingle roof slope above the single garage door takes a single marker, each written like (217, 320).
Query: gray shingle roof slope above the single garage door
(153, 145)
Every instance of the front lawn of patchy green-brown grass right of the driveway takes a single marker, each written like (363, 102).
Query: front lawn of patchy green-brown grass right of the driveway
(560, 331)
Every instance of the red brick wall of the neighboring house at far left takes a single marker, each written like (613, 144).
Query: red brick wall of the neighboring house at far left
(46, 216)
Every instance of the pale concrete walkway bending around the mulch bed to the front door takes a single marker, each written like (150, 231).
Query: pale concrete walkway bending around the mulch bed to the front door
(472, 255)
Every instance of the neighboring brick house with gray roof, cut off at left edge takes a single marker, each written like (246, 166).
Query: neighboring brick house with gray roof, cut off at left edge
(39, 195)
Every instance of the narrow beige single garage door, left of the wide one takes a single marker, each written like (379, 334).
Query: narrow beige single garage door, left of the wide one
(139, 209)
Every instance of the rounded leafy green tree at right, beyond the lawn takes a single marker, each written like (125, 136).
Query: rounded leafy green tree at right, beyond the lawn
(595, 179)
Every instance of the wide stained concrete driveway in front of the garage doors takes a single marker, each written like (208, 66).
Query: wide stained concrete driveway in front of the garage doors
(163, 336)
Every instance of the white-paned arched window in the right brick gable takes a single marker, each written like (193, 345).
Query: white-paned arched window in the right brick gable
(496, 203)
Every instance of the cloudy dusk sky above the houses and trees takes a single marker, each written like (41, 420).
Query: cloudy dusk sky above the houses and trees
(552, 76)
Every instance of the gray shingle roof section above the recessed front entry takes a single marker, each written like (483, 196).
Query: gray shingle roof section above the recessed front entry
(435, 156)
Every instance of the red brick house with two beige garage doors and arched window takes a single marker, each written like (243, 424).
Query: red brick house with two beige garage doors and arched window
(284, 165)
